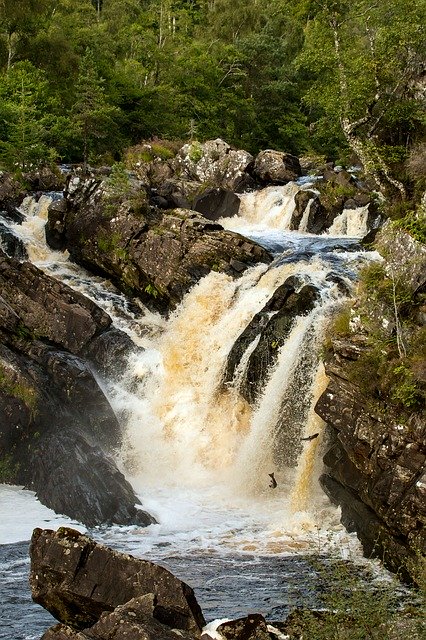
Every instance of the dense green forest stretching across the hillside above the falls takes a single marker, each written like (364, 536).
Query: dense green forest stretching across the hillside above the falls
(84, 79)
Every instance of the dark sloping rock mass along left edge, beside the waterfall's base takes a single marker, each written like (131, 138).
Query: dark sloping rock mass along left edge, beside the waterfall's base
(58, 432)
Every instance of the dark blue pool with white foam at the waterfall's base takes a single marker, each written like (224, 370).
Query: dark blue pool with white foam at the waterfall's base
(234, 564)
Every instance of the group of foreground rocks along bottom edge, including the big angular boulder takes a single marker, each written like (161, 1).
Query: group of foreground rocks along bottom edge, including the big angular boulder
(100, 594)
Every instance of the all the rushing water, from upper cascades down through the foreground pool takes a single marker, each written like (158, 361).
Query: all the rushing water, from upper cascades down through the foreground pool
(195, 451)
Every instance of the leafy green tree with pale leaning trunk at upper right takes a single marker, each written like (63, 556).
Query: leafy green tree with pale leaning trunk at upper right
(365, 57)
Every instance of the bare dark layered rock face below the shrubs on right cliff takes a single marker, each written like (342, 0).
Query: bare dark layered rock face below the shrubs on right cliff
(375, 470)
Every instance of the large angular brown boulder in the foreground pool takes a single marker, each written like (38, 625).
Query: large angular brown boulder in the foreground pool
(78, 580)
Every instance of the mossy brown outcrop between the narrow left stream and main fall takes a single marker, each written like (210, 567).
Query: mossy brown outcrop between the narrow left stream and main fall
(153, 254)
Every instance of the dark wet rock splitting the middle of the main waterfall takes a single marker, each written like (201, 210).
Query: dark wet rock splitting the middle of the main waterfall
(270, 327)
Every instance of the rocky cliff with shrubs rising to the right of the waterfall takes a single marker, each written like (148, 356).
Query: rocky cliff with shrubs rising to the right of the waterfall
(375, 411)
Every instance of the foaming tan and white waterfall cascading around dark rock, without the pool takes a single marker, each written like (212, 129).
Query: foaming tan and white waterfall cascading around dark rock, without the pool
(195, 449)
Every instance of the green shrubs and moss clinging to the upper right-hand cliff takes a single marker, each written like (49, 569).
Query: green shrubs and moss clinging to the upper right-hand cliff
(390, 369)
